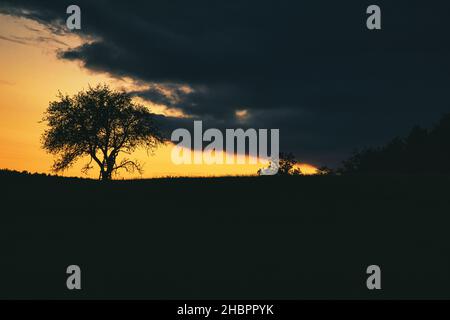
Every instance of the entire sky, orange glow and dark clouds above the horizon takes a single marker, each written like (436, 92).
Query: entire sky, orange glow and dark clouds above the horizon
(309, 68)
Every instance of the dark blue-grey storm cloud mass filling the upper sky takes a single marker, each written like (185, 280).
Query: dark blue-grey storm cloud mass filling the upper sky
(310, 68)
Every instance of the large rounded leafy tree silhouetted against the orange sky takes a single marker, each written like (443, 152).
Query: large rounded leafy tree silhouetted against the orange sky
(101, 124)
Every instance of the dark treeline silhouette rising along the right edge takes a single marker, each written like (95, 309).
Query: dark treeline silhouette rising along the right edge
(422, 151)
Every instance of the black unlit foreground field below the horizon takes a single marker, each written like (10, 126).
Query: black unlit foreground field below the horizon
(232, 238)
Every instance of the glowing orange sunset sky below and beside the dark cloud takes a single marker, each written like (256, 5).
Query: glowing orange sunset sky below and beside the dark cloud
(31, 76)
